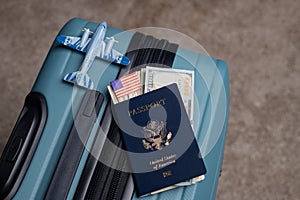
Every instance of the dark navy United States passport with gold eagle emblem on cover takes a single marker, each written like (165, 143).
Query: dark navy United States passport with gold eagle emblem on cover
(159, 140)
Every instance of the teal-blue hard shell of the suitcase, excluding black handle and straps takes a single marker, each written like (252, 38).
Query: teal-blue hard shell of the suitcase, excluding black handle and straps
(211, 90)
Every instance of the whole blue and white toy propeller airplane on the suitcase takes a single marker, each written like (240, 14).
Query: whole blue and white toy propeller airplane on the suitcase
(93, 47)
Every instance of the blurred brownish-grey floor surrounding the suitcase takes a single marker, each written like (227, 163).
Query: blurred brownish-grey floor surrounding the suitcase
(260, 40)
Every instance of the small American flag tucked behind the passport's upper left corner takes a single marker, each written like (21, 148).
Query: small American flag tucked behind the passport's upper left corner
(126, 85)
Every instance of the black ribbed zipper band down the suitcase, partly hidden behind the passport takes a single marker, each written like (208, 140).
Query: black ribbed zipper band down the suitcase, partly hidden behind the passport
(105, 182)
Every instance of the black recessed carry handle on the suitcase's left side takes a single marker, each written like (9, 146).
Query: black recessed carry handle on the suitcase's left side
(22, 143)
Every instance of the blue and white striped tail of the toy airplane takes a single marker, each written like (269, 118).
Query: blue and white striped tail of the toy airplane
(80, 79)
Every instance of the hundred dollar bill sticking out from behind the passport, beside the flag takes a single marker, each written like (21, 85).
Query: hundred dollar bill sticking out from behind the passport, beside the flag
(158, 77)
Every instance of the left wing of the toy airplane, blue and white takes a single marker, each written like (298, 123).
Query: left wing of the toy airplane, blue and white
(74, 42)
